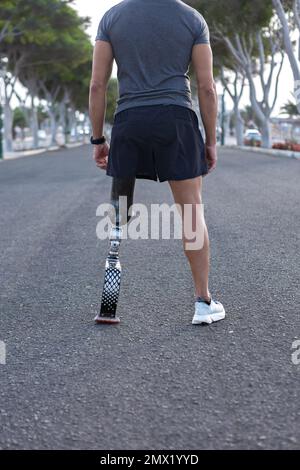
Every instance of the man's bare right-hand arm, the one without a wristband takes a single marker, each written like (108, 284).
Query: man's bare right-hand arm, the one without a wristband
(202, 60)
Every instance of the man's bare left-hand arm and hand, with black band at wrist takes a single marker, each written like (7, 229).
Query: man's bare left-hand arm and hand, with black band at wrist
(102, 67)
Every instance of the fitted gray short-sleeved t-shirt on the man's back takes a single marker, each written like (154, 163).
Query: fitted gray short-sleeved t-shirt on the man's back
(152, 42)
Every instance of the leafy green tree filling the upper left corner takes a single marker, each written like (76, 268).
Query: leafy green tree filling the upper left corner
(47, 44)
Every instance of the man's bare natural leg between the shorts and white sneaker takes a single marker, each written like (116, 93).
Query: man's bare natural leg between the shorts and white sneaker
(189, 192)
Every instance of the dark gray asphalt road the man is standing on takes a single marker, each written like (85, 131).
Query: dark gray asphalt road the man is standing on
(155, 381)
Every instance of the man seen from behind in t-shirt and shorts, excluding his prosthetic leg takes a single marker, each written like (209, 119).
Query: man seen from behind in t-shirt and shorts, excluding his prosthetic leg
(156, 132)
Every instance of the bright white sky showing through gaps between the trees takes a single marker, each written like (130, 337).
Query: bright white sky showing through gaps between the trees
(95, 9)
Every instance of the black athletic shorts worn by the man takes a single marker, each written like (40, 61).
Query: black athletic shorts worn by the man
(157, 142)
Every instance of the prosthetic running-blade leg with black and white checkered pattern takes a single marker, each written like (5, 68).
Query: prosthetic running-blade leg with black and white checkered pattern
(112, 278)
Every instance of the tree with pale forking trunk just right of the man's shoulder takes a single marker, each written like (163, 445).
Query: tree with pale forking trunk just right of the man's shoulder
(254, 42)
